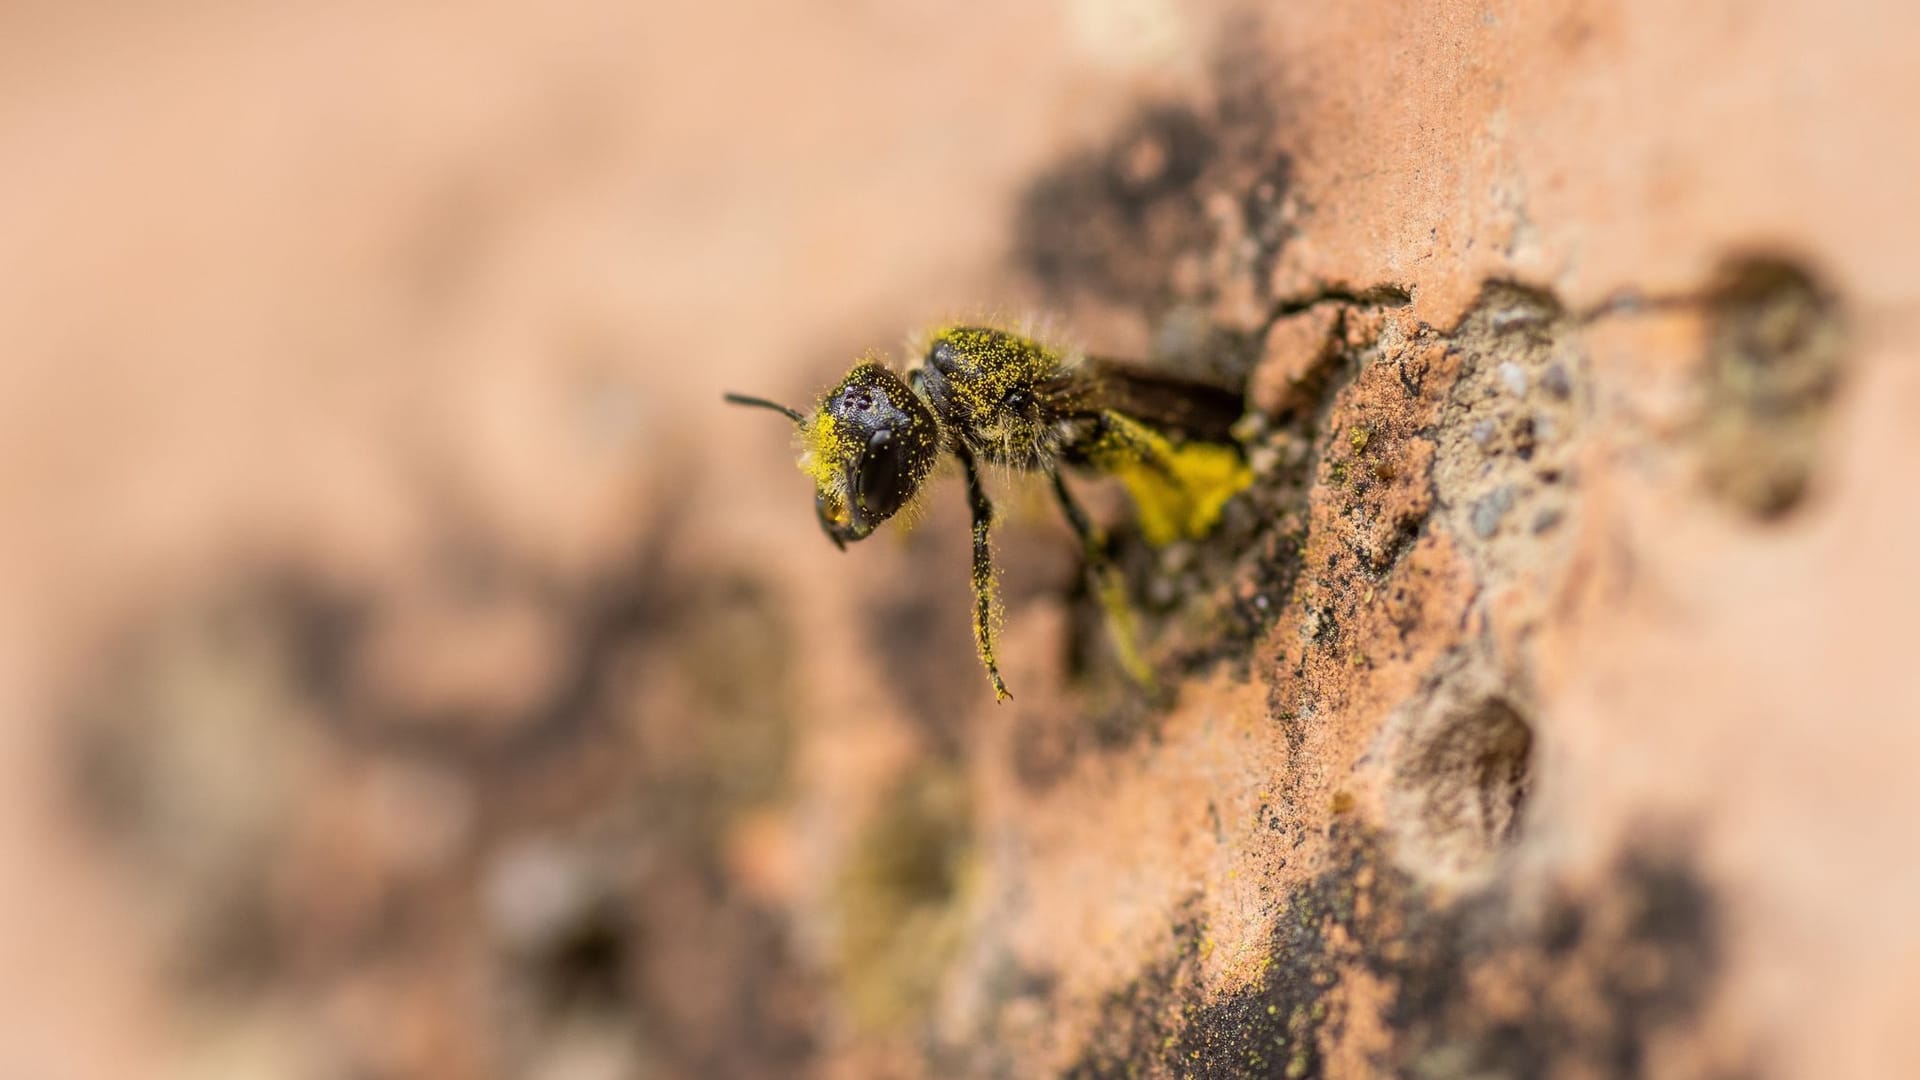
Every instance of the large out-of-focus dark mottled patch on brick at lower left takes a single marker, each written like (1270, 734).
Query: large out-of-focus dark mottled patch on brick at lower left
(308, 806)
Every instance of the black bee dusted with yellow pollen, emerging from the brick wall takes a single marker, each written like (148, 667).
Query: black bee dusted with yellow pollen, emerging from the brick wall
(986, 395)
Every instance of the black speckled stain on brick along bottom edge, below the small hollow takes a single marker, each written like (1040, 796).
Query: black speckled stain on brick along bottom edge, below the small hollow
(1489, 987)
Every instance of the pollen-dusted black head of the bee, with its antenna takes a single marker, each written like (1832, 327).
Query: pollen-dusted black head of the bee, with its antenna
(869, 449)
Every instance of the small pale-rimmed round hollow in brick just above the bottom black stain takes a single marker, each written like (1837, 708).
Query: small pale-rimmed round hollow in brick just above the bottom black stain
(1460, 783)
